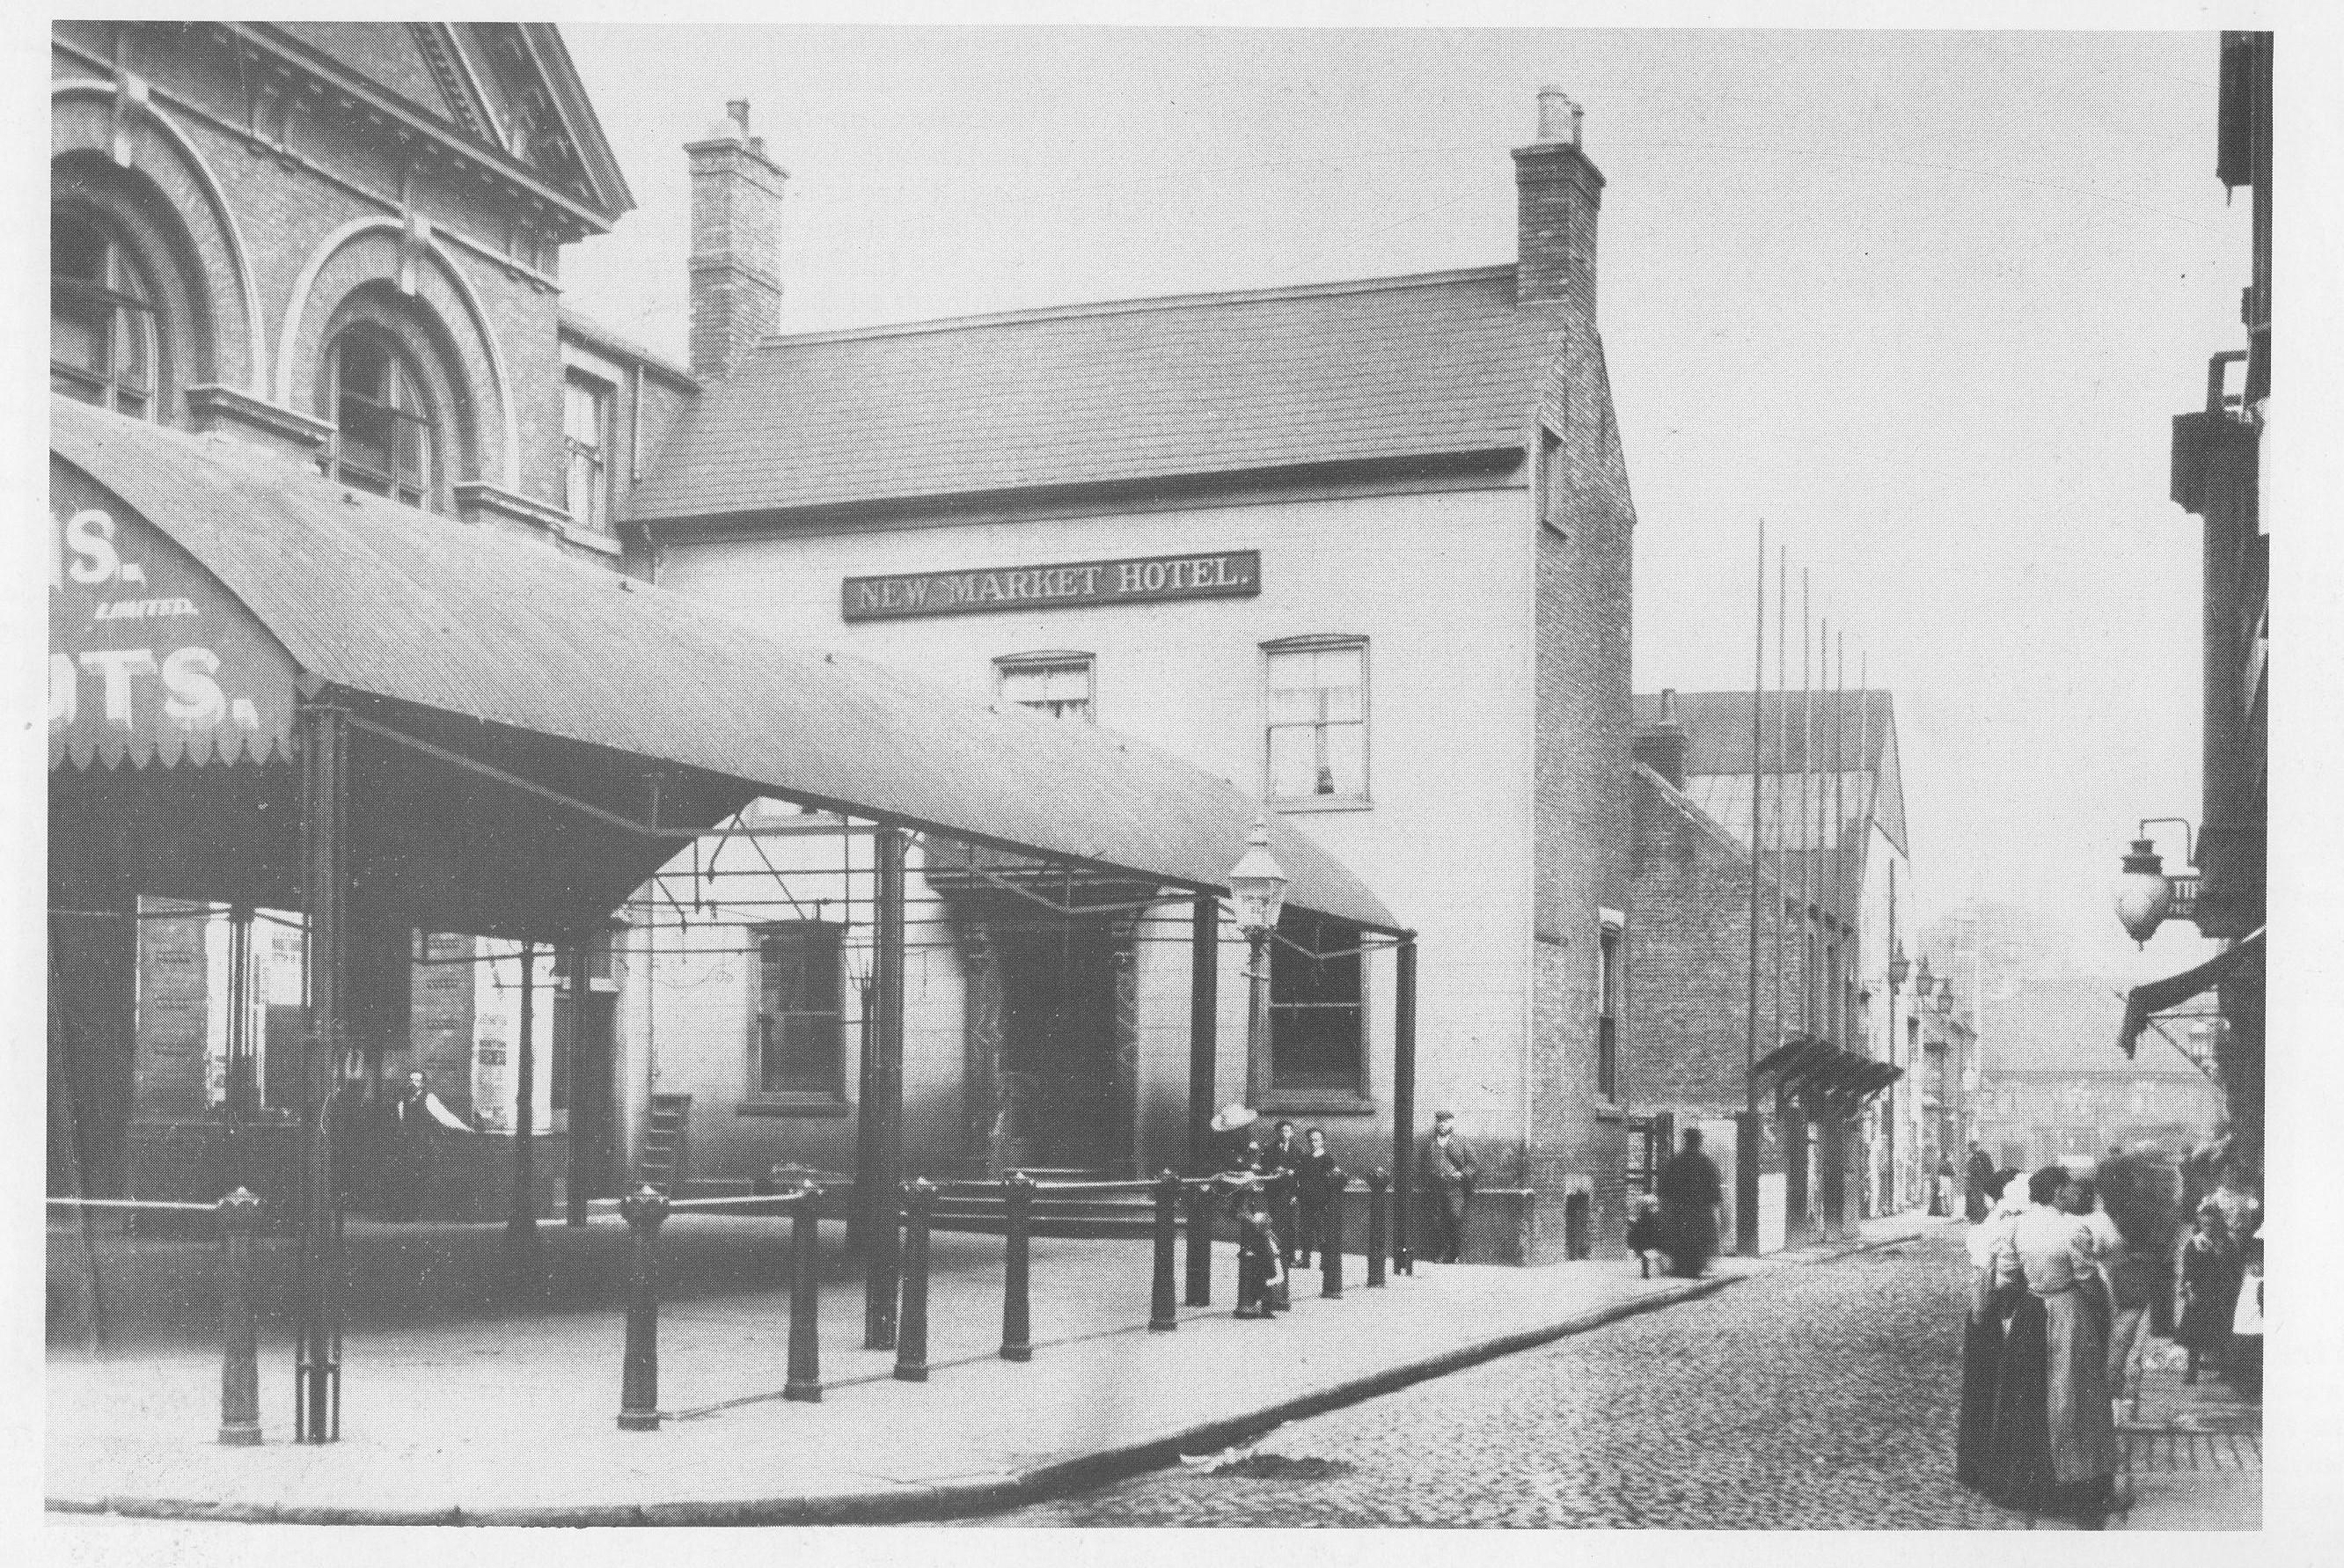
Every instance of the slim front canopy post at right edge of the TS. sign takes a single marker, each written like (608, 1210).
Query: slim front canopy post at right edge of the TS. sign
(325, 826)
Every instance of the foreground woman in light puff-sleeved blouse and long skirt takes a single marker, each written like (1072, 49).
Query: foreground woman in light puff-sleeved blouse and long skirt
(2055, 1445)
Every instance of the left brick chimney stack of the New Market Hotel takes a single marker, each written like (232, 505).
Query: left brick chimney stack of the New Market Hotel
(735, 245)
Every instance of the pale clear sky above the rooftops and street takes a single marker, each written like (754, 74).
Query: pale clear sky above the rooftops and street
(1921, 301)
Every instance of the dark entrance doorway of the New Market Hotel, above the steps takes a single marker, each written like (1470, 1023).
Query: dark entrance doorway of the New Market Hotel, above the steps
(1058, 1049)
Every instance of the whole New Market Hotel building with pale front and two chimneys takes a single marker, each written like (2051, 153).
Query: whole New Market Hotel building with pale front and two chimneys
(1358, 547)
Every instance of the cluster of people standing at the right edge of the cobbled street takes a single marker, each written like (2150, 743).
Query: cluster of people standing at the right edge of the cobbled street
(2062, 1293)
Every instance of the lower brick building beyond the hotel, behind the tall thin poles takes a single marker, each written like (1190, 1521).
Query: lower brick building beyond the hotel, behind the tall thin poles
(1829, 922)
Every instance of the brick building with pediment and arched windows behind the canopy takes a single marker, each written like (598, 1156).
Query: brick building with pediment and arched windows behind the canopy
(336, 245)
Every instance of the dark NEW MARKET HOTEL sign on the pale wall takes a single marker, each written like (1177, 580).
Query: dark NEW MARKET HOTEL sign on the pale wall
(1054, 587)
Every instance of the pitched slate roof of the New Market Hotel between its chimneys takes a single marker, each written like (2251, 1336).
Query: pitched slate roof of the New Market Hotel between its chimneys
(1096, 395)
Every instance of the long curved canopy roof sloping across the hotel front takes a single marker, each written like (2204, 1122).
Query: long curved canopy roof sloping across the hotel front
(587, 681)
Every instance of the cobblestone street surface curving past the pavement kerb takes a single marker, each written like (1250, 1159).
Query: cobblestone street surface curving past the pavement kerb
(1806, 1398)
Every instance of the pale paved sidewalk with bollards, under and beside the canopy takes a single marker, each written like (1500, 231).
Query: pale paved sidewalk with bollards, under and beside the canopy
(510, 1419)
